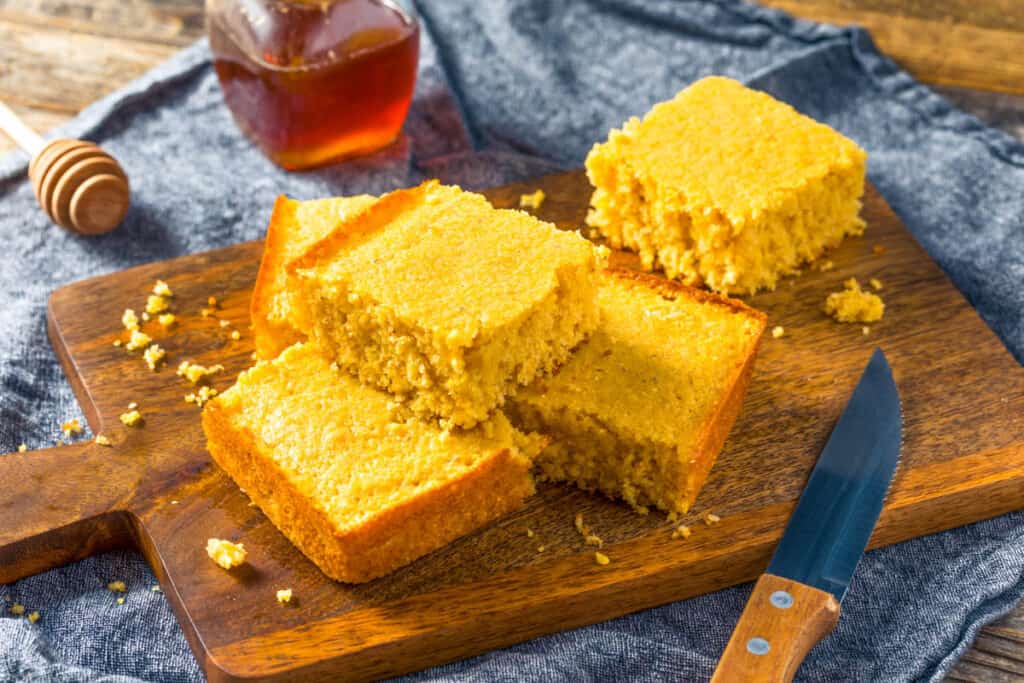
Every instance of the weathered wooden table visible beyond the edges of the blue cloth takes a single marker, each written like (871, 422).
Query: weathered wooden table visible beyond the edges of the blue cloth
(59, 56)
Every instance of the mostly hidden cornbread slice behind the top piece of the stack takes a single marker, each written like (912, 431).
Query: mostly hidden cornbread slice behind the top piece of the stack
(294, 228)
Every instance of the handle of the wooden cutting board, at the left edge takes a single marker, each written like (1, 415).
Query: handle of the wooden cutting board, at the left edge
(60, 505)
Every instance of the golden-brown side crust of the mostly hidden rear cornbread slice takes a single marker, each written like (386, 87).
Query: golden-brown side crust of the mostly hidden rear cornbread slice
(270, 337)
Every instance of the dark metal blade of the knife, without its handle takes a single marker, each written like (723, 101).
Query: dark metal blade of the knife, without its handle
(837, 514)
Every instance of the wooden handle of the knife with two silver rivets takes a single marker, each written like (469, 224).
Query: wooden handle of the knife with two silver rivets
(781, 624)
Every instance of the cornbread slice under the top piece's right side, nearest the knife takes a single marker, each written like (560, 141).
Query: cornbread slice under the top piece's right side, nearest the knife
(644, 407)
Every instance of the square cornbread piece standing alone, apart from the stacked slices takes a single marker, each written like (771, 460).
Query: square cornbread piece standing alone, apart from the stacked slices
(727, 187)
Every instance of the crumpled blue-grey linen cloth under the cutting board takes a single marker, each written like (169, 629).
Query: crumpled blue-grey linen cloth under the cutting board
(509, 90)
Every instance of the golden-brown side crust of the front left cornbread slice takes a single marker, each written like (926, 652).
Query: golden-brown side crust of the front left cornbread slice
(388, 541)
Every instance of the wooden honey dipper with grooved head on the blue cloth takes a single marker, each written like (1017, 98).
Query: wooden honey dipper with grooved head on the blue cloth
(79, 186)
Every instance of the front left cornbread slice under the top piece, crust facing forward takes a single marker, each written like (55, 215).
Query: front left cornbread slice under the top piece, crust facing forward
(357, 484)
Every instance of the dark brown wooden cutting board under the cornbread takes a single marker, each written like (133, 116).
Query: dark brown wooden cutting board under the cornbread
(157, 489)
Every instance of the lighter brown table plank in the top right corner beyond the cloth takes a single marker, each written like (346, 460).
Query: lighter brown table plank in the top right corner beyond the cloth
(959, 42)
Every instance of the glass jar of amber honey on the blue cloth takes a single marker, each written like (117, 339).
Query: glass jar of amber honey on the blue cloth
(314, 82)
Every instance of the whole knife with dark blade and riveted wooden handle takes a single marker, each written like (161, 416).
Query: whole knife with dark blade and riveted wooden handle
(795, 604)
